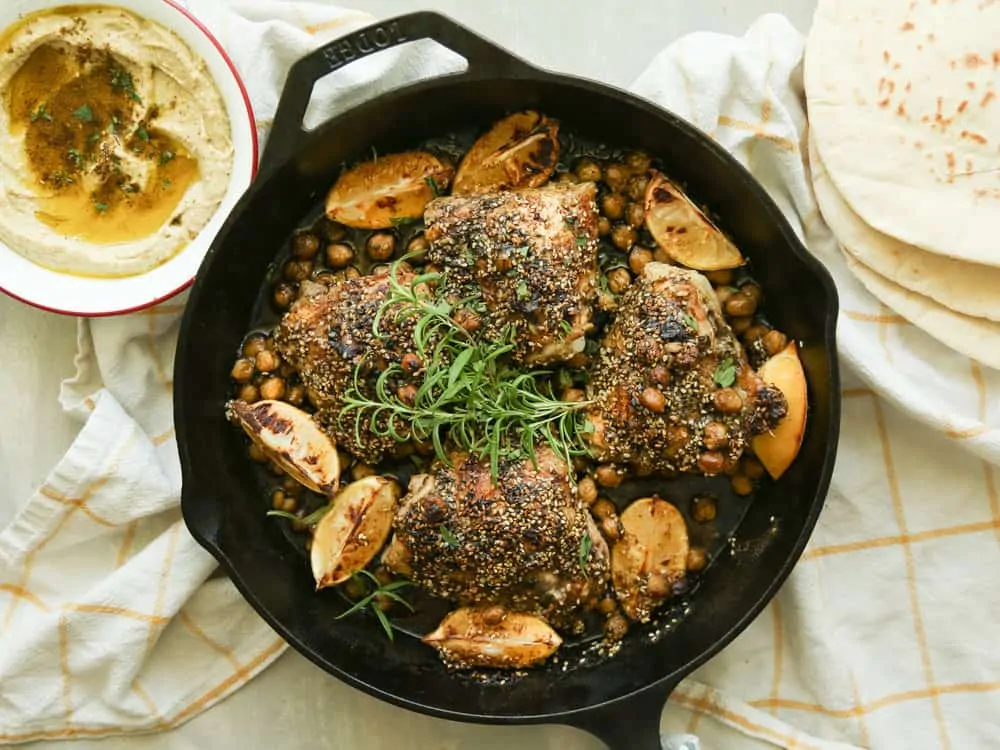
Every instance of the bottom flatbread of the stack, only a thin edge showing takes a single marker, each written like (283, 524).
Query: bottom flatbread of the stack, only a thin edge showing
(974, 337)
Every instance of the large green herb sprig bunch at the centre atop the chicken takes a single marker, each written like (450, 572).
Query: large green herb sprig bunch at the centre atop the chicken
(471, 396)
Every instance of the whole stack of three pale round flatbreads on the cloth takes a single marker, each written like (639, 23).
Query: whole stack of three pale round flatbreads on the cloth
(903, 102)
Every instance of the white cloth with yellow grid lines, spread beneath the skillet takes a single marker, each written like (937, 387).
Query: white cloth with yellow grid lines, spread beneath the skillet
(882, 638)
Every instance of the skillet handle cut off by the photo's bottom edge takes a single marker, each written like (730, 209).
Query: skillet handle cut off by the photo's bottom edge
(630, 724)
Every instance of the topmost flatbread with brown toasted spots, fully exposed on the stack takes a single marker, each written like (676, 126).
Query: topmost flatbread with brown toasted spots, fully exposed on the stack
(904, 100)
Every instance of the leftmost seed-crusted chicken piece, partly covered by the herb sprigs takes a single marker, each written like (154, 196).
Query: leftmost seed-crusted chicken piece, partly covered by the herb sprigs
(327, 334)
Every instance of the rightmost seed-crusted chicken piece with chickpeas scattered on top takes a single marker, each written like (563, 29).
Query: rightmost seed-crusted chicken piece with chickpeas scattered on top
(672, 388)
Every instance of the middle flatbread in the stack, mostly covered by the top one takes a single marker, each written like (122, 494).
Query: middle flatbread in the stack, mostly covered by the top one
(969, 288)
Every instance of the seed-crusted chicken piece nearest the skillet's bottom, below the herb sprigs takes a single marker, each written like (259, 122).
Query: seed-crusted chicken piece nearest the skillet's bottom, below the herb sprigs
(518, 542)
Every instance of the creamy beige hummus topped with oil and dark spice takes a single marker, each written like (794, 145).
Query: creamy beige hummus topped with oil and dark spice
(115, 147)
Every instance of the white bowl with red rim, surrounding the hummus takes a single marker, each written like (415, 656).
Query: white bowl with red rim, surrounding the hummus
(93, 297)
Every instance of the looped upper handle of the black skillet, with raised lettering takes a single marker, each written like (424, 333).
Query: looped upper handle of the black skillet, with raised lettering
(485, 59)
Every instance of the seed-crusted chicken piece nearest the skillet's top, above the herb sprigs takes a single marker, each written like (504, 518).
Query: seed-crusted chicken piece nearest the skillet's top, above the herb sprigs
(531, 255)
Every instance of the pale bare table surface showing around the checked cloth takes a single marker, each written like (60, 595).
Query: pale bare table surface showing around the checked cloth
(293, 705)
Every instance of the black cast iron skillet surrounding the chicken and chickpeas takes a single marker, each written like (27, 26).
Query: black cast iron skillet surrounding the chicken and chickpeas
(618, 699)
